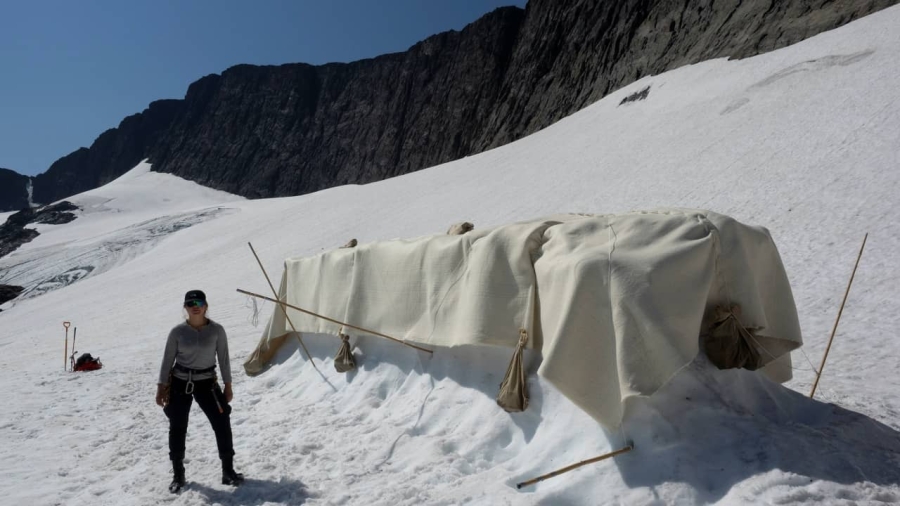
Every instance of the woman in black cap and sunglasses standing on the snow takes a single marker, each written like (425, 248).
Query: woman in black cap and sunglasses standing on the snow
(188, 372)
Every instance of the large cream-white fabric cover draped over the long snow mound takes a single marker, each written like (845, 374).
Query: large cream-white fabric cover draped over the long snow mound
(615, 303)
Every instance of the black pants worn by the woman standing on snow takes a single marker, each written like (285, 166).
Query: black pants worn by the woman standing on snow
(212, 401)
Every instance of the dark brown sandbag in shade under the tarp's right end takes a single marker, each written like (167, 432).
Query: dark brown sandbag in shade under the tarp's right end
(728, 344)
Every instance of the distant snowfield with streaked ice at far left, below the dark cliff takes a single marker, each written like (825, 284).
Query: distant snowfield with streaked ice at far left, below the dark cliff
(125, 218)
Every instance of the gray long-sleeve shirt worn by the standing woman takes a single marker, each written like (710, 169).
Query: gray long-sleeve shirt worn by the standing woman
(196, 349)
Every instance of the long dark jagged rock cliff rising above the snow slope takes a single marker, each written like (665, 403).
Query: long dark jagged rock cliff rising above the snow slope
(293, 129)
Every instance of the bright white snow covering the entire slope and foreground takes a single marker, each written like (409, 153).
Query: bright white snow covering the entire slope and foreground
(803, 141)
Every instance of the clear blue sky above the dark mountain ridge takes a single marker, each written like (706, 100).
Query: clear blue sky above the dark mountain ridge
(71, 69)
